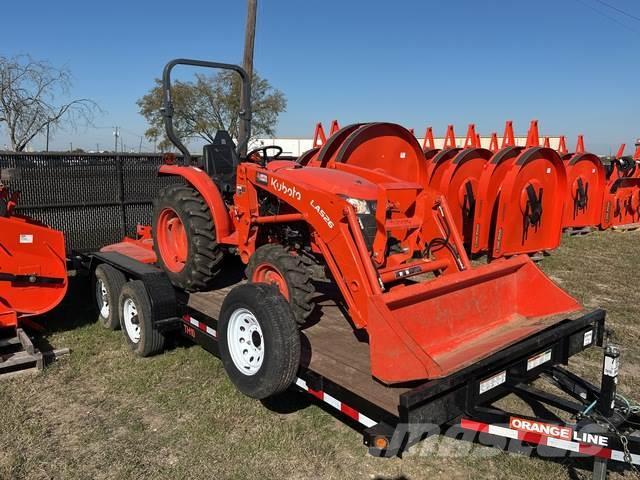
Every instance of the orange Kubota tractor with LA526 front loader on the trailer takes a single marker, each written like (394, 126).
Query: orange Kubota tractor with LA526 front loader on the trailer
(361, 209)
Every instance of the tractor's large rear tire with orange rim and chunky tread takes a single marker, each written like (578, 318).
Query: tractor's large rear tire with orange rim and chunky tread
(184, 238)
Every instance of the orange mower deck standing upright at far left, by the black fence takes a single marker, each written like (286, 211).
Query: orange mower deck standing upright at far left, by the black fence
(33, 276)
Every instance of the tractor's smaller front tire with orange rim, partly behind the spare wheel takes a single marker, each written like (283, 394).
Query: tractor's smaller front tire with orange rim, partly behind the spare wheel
(274, 264)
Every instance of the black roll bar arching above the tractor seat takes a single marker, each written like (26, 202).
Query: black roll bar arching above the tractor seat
(167, 109)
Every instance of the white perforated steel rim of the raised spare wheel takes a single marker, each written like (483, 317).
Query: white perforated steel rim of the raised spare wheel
(245, 341)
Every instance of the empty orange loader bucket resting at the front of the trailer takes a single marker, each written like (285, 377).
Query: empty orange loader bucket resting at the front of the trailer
(435, 328)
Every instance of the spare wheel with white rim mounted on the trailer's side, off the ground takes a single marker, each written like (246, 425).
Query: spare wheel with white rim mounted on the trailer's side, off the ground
(259, 340)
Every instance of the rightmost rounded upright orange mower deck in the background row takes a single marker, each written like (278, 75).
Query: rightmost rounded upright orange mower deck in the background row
(586, 181)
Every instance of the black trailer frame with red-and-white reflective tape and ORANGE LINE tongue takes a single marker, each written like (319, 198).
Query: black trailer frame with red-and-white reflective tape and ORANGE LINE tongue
(462, 403)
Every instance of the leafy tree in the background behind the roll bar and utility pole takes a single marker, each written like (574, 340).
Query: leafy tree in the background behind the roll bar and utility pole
(211, 103)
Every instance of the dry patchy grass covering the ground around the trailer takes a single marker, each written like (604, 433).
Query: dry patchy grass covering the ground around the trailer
(100, 413)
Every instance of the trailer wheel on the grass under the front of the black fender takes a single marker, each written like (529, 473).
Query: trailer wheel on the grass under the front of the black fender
(136, 320)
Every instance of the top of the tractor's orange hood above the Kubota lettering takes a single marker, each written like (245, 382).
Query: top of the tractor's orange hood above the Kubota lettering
(333, 181)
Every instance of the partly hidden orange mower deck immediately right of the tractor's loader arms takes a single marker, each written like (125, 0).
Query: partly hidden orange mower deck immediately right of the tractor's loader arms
(457, 179)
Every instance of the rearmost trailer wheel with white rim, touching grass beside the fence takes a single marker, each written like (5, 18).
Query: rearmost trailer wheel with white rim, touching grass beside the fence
(107, 284)
